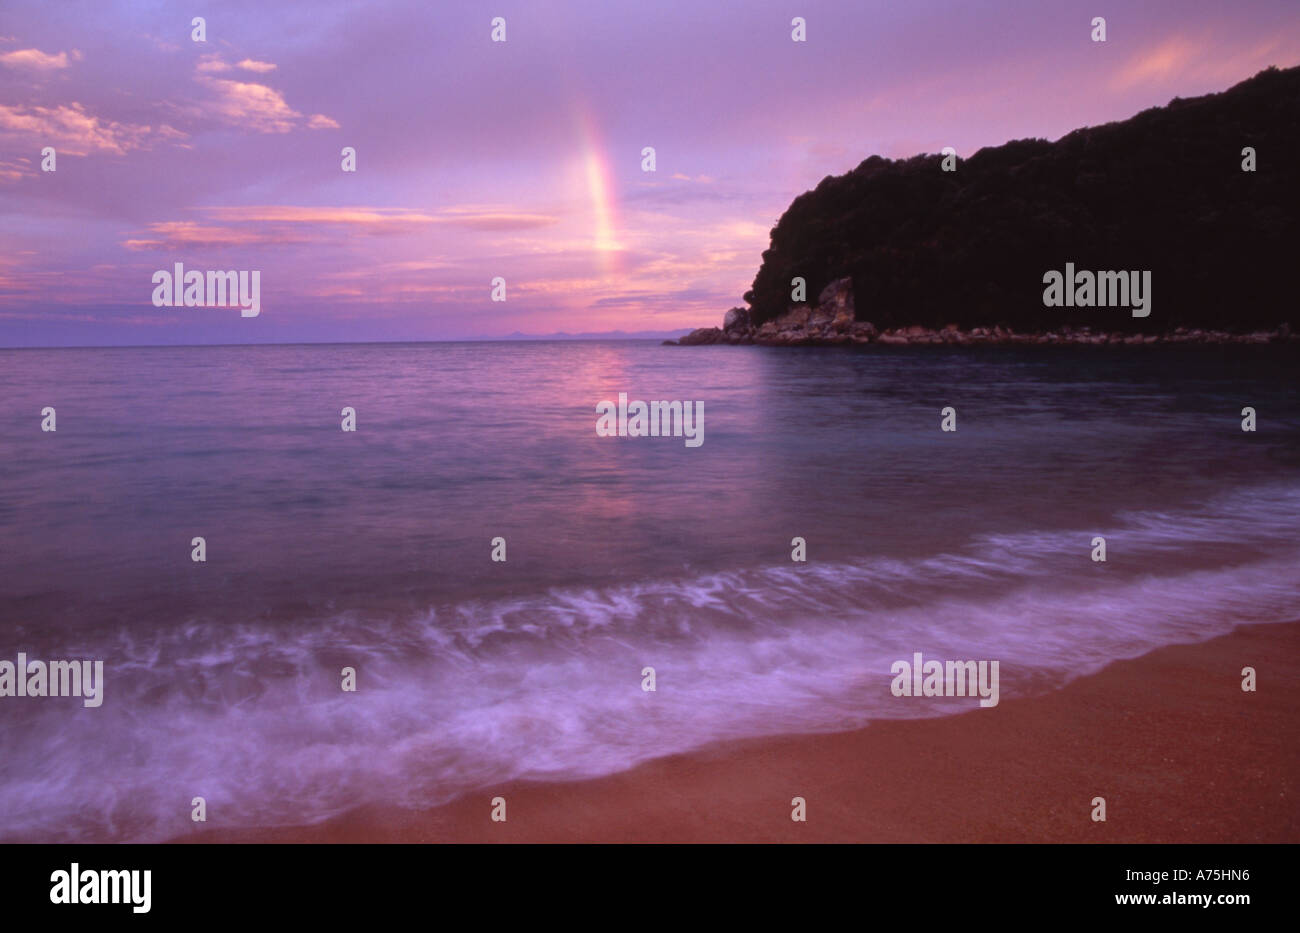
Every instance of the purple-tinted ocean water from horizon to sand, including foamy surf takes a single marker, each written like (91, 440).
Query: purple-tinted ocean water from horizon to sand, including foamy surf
(372, 550)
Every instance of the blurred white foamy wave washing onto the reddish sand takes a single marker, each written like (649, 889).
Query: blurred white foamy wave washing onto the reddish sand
(473, 695)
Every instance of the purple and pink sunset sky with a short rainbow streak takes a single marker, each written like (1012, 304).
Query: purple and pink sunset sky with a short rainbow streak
(518, 159)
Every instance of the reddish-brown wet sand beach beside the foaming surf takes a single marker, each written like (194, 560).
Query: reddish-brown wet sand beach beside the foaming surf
(1171, 740)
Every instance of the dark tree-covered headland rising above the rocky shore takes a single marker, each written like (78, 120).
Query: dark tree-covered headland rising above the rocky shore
(1162, 193)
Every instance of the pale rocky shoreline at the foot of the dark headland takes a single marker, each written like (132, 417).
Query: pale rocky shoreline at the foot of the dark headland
(834, 323)
